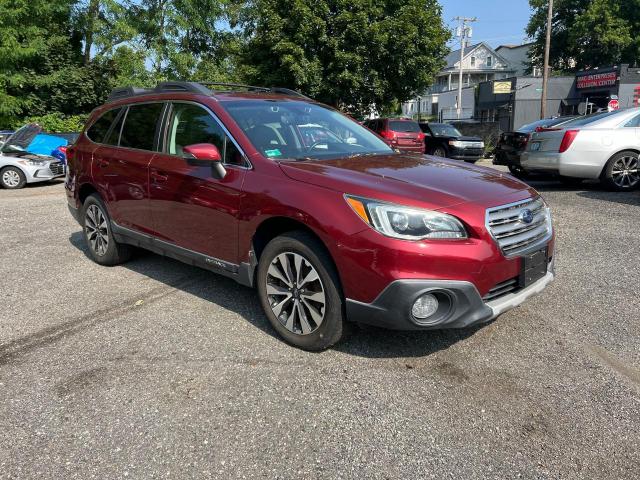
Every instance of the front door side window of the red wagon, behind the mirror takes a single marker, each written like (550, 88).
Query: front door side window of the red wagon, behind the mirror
(190, 124)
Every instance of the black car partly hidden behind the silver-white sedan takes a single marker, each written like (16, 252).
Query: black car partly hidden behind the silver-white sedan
(511, 145)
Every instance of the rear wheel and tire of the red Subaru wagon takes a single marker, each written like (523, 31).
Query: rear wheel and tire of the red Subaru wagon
(96, 226)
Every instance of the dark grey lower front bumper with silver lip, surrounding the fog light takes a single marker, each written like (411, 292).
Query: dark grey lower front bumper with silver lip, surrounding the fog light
(391, 309)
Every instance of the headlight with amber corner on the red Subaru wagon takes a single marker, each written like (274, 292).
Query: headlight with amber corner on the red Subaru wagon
(406, 223)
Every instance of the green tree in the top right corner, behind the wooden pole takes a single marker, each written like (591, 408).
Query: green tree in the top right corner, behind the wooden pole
(586, 33)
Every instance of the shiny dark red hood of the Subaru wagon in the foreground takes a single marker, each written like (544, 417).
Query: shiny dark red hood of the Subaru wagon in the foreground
(423, 180)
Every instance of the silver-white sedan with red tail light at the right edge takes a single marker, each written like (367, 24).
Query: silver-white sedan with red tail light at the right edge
(602, 146)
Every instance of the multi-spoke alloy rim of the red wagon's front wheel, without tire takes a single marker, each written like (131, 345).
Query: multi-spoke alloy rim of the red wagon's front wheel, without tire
(295, 293)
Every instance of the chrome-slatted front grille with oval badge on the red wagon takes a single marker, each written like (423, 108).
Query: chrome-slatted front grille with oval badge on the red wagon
(513, 234)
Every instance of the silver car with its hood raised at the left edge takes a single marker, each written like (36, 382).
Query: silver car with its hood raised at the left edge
(19, 167)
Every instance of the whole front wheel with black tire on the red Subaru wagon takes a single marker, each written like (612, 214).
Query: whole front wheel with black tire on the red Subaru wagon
(300, 292)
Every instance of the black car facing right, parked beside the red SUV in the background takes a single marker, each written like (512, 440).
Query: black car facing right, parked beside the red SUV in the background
(444, 140)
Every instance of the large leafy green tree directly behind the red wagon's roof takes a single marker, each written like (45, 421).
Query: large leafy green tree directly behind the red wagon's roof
(355, 54)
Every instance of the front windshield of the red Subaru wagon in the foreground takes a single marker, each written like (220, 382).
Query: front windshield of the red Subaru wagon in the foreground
(302, 130)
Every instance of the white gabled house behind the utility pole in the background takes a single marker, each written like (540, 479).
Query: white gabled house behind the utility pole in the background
(480, 64)
